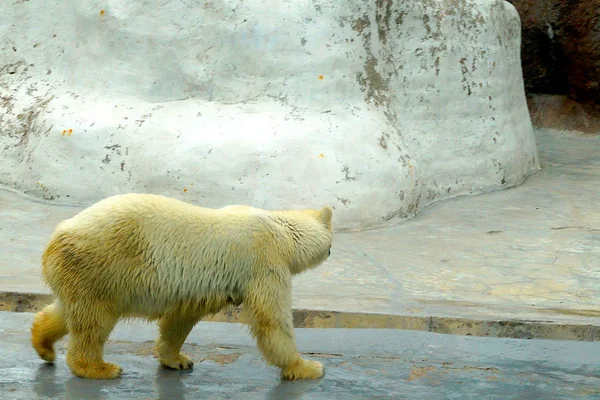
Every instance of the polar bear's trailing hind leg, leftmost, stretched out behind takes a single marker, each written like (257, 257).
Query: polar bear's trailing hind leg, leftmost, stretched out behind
(48, 327)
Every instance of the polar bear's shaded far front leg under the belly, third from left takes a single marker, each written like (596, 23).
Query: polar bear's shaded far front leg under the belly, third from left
(174, 329)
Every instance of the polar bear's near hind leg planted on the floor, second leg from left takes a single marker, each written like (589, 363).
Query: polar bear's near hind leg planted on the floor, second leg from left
(89, 328)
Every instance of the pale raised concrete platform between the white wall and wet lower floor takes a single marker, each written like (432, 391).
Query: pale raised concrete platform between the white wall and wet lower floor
(531, 253)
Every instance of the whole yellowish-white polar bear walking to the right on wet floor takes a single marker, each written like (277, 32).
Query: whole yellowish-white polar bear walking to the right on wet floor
(149, 256)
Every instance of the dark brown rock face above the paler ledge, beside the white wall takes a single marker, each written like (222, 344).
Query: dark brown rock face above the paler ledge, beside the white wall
(561, 47)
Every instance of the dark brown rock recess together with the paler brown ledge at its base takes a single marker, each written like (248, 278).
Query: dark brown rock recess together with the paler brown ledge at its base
(561, 58)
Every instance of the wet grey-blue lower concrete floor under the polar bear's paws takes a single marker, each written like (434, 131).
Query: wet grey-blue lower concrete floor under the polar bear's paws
(360, 364)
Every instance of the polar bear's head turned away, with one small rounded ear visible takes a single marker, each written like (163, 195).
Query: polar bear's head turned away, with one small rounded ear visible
(313, 235)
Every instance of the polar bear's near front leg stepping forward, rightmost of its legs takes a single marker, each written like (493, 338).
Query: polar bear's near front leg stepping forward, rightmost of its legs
(269, 307)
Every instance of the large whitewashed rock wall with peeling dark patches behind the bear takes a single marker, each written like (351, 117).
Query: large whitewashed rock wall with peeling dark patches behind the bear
(378, 107)
